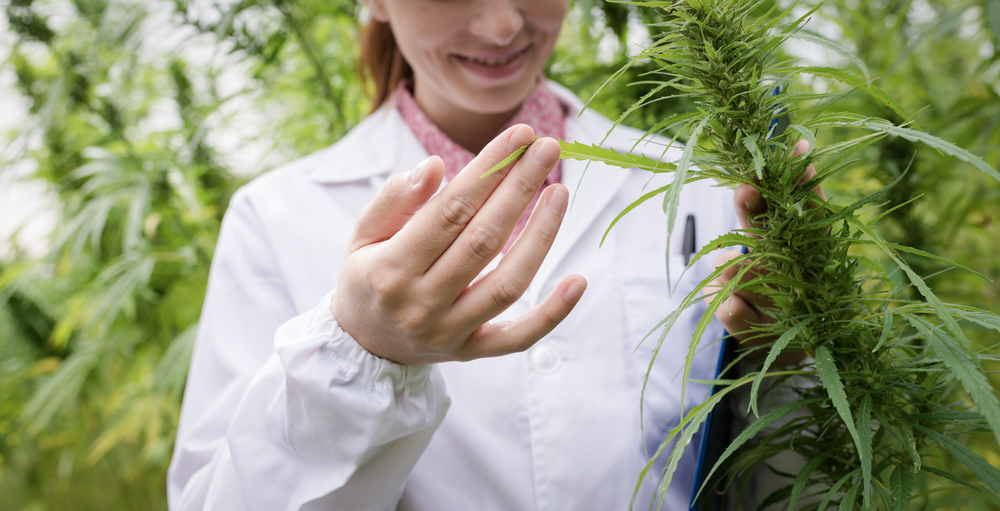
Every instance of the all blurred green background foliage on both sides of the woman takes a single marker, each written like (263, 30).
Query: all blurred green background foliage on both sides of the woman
(143, 117)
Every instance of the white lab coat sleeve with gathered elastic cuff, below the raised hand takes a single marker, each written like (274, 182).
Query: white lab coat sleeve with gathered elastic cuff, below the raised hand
(298, 419)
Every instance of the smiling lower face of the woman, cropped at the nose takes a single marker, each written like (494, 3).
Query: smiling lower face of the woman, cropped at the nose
(480, 56)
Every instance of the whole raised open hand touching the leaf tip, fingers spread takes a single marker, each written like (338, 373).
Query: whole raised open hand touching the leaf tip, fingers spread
(404, 291)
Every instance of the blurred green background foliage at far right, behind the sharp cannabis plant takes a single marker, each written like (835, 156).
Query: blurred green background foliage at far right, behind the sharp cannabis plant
(941, 58)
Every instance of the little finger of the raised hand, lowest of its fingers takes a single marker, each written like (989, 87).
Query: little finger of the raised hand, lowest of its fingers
(503, 338)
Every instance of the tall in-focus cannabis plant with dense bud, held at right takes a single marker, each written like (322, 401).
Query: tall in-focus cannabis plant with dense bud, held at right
(894, 378)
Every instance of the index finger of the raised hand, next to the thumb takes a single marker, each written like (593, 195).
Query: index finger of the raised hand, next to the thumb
(436, 226)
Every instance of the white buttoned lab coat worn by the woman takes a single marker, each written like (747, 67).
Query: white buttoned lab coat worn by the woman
(283, 410)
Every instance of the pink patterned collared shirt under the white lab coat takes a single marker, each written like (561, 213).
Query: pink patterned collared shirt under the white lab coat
(542, 111)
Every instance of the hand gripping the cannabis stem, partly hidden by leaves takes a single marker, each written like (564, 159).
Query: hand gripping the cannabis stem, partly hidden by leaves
(741, 310)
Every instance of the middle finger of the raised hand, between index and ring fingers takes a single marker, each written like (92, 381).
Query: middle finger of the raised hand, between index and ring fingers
(487, 233)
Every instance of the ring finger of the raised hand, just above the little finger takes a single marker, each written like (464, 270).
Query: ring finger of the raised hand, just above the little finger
(494, 293)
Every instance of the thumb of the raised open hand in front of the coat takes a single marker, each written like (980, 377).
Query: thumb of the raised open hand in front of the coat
(397, 201)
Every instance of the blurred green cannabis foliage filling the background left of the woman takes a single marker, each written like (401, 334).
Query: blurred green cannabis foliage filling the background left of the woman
(135, 114)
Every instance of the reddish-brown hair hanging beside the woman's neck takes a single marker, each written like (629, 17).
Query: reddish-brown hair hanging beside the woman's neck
(381, 63)
